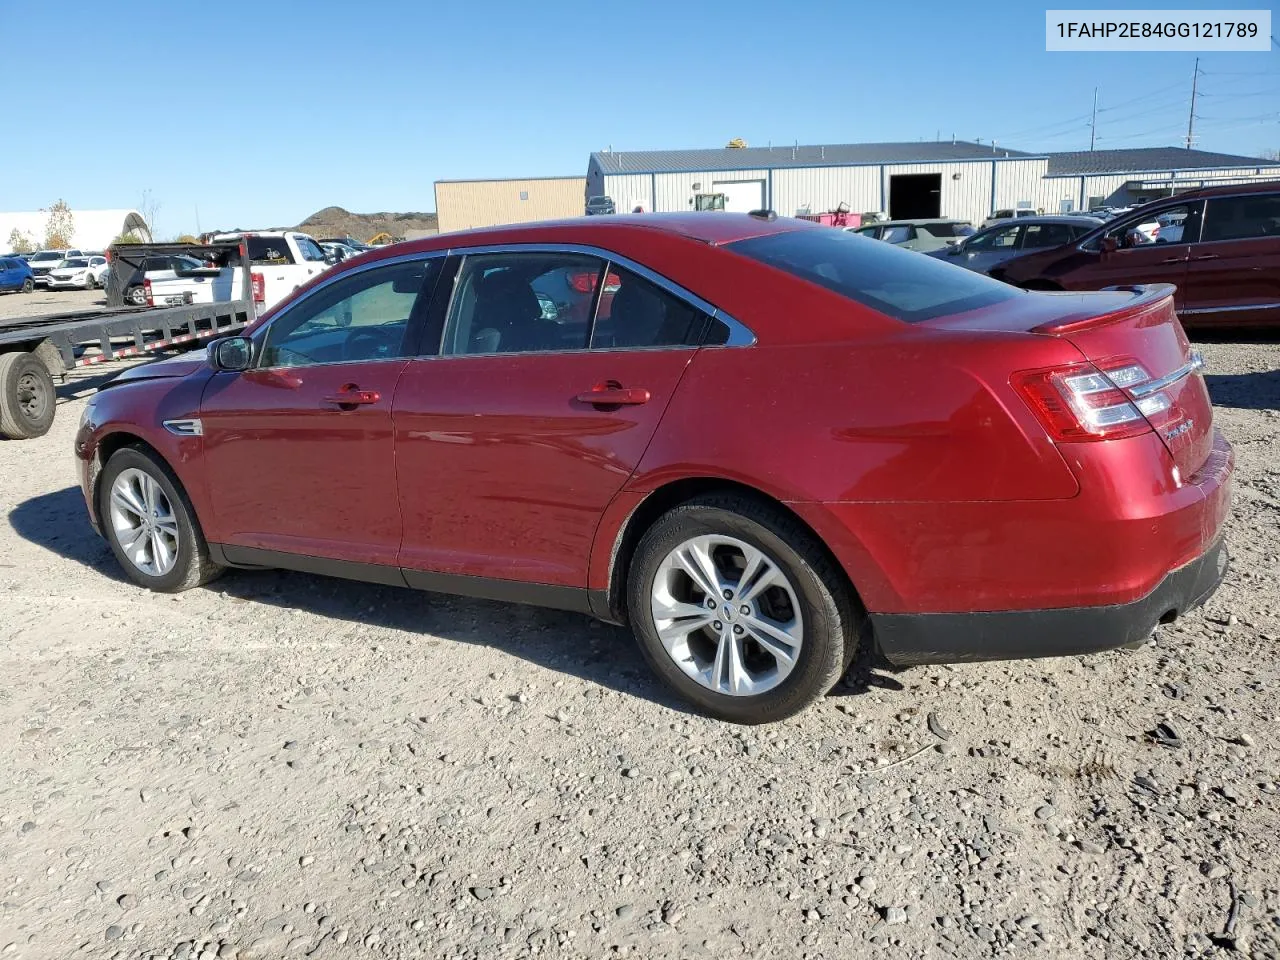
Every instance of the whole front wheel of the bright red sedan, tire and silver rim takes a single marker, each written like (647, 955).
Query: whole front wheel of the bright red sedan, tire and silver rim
(152, 525)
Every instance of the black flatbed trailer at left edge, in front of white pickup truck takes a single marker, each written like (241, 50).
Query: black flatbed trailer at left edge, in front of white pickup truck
(36, 350)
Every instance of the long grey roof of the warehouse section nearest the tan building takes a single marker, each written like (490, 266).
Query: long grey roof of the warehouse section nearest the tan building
(808, 156)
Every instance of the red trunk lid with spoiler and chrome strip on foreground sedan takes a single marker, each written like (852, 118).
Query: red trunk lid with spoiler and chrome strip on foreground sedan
(1118, 331)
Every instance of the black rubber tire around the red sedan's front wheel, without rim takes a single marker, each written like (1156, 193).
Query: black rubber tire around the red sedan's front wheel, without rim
(194, 566)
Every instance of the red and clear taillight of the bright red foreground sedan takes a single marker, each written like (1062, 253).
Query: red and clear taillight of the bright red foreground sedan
(1090, 403)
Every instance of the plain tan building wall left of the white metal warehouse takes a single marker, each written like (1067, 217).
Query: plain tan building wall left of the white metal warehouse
(465, 204)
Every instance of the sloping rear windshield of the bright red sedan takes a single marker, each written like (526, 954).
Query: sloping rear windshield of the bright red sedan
(899, 284)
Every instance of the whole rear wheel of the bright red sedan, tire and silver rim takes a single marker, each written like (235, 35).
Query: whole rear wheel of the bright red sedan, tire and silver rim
(740, 610)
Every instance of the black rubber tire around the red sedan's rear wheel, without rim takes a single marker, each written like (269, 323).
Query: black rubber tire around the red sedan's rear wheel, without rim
(833, 616)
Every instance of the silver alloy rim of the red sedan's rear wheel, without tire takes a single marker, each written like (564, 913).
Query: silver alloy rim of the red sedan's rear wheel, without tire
(728, 615)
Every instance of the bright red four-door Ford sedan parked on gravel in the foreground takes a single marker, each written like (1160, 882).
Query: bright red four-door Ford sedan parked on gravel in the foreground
(772, 444)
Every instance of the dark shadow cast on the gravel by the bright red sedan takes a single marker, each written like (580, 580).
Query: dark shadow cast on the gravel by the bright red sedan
(568, 643)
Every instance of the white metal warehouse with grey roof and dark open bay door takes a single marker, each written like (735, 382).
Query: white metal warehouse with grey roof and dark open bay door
(961, 180)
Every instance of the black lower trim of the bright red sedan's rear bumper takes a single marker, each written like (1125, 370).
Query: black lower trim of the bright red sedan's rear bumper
(1005, 636)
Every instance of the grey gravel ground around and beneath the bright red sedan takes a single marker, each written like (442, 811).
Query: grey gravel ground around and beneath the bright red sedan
(285, 766)
